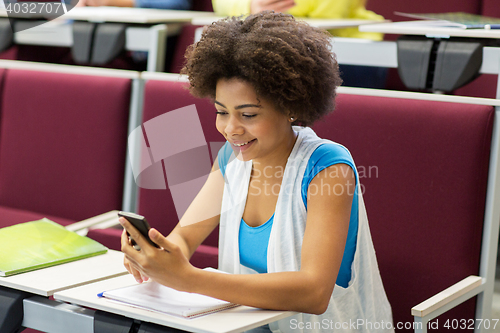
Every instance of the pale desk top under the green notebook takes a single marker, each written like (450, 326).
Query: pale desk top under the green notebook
(47, 281)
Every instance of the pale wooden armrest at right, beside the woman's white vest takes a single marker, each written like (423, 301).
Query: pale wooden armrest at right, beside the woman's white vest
(457, 293)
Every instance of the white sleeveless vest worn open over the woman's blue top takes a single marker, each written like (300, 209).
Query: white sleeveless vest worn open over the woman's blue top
(362, 306)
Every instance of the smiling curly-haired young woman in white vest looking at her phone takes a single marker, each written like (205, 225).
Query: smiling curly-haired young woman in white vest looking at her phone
(286, 201)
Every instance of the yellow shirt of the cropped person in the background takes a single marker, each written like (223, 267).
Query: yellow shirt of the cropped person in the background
(334, 9)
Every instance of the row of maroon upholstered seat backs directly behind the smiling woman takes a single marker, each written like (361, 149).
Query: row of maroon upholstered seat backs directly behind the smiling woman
(63, 155)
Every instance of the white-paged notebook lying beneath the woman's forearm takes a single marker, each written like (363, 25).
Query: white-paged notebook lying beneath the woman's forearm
(156, 297)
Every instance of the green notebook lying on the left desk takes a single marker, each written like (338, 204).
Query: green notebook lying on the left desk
(39, 244)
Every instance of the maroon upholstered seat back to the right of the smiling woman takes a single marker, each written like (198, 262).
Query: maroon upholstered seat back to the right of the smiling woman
(423, 167)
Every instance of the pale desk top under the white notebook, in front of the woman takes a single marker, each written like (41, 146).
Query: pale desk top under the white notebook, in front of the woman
(232, 320)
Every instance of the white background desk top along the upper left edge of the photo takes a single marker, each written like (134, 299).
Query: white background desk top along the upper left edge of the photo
(127, 15)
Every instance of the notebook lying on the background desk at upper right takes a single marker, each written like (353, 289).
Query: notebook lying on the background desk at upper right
(458, 20)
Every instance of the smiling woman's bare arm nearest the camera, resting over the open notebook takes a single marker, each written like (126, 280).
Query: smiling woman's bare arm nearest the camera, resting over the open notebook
(308, 290)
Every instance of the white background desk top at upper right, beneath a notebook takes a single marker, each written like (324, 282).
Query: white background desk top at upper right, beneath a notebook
(428, 29)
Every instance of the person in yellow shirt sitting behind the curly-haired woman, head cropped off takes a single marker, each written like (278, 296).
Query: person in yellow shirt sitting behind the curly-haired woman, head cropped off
(353, 76)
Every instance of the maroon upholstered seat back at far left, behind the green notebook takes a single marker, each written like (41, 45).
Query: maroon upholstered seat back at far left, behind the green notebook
(62, 144)
